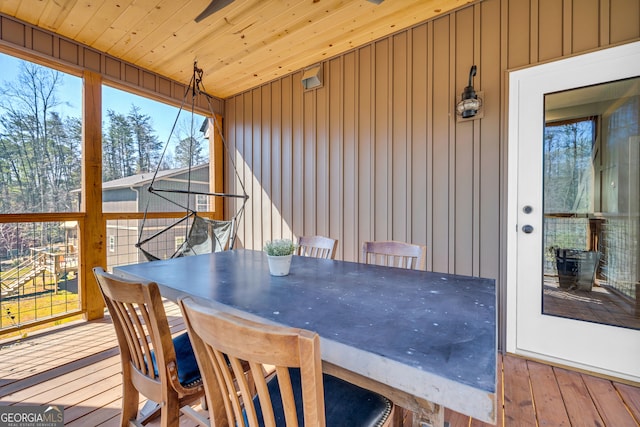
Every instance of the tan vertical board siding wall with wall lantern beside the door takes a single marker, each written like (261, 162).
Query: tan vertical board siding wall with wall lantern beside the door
(377, 153)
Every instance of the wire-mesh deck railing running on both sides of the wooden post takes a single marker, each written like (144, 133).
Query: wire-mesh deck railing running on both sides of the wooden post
(39, 262)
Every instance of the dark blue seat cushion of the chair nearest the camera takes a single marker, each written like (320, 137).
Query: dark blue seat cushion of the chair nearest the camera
(345, 404)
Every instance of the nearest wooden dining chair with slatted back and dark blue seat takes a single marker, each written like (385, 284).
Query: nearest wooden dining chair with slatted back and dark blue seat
(296, 393)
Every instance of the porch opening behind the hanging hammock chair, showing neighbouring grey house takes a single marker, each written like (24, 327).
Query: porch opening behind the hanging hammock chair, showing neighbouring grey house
(142, 136)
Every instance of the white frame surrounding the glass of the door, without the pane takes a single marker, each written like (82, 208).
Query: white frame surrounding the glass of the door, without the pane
(567, 342)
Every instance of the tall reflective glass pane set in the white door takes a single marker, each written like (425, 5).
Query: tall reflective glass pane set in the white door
(591, 199)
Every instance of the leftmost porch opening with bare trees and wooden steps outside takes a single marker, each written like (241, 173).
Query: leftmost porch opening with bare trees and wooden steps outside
(40, 178)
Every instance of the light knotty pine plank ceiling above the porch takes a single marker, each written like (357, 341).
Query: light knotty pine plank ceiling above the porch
(242, 45)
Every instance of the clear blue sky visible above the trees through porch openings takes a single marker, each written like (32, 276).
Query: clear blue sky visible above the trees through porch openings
(162, 115)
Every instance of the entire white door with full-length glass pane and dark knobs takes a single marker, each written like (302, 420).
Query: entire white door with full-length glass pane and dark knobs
(574, 191)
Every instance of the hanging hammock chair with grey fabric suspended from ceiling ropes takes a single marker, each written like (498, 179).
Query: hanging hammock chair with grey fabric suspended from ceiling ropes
(201, 234)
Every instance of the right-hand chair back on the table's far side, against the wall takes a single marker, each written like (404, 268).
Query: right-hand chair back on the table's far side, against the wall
(395, 254)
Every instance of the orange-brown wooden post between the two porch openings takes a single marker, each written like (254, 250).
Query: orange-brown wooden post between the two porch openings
(92, 251)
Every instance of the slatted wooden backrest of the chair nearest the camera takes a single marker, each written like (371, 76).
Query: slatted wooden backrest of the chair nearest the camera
(236, 341)
